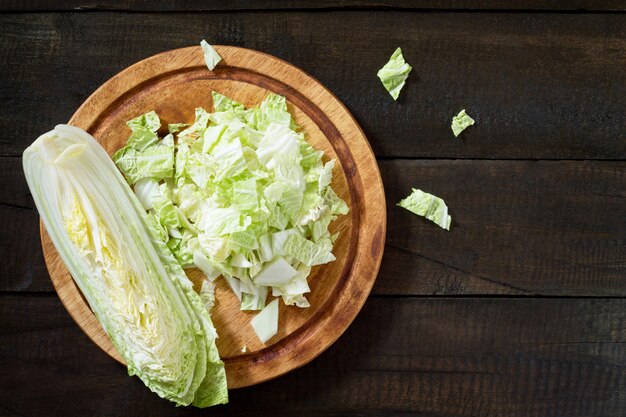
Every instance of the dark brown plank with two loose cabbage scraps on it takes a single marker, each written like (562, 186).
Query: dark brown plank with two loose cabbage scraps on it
(549, 86)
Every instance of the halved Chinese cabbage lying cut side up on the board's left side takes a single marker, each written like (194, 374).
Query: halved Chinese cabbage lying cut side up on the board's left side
(132, 282)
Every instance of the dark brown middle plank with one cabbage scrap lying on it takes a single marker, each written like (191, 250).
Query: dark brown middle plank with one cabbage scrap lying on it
(523, 228)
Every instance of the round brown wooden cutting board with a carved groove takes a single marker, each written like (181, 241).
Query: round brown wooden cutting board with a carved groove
(173, 84)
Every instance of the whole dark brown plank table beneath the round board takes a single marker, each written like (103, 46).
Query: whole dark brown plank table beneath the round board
(519, 310)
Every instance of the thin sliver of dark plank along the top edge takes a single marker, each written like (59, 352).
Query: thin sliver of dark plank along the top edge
(235, 5)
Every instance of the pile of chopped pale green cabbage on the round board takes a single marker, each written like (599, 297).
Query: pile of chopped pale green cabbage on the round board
(239, 194)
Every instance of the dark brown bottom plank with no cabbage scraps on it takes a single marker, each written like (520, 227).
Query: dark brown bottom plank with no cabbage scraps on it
(444, 357)
